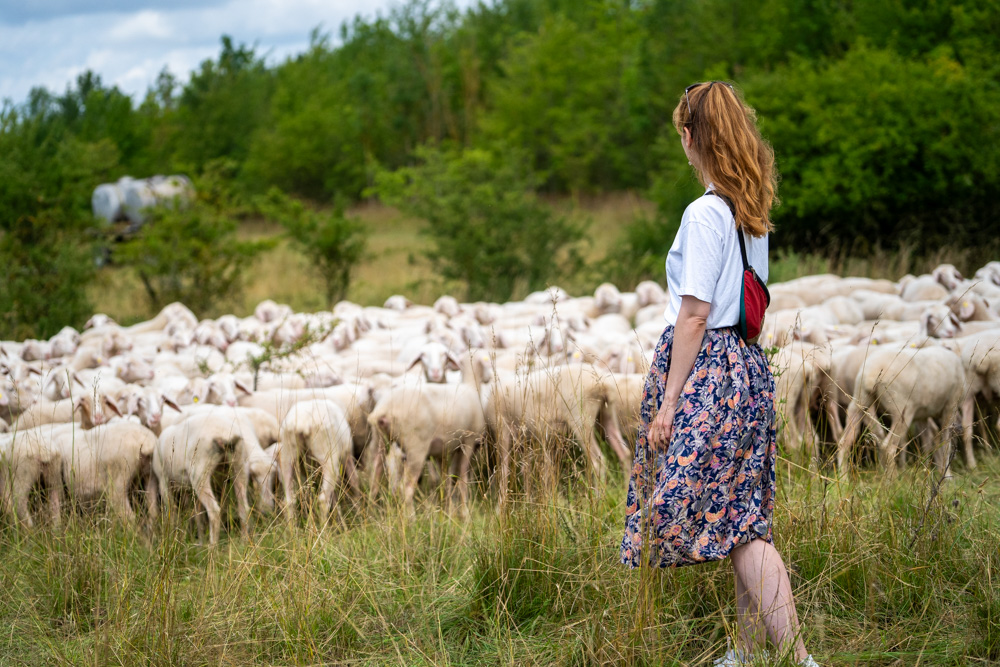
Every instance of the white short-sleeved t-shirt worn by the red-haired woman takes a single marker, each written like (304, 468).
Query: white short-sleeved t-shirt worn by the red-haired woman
(704, 261)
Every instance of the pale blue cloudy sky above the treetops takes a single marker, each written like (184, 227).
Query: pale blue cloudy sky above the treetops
(128, 42)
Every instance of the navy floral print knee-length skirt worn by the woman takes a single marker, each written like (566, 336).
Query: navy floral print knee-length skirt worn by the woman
(713, 488)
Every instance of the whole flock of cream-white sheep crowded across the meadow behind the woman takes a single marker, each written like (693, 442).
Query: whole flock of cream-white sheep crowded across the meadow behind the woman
(324, 404)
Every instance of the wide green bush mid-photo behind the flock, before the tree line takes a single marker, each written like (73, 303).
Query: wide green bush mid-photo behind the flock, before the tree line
(489, 230)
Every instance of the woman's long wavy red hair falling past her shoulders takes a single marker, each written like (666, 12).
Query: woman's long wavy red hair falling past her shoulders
(732, 155)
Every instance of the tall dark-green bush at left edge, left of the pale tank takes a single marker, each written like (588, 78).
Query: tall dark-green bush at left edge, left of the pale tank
(46, 230)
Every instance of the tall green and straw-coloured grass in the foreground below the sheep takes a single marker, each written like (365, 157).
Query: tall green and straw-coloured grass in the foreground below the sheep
(880, 578)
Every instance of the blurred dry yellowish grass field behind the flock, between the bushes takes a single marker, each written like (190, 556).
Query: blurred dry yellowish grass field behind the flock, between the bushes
(395, 263)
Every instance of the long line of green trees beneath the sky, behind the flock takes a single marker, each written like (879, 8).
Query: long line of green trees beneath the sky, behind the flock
(882, 115)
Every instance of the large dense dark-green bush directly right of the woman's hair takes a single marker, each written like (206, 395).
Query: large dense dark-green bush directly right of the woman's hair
(876, 147)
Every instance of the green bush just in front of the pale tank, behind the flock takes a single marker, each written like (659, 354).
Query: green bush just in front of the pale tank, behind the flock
(192, 254)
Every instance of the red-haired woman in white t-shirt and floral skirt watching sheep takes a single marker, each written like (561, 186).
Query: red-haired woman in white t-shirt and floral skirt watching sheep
(702, 485)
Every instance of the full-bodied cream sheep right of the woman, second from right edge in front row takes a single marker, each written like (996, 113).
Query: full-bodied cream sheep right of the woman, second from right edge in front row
(908, 384)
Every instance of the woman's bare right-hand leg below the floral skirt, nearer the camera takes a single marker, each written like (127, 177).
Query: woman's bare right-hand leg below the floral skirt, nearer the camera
(769, 594)
